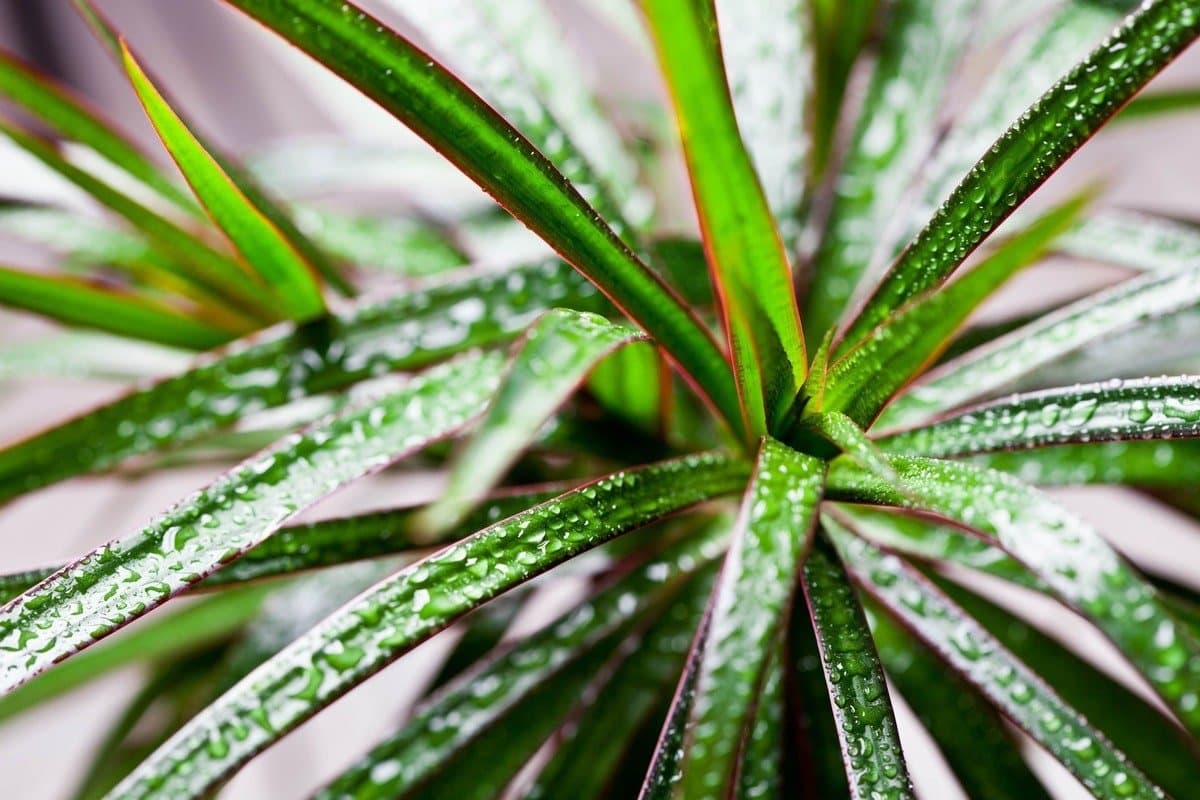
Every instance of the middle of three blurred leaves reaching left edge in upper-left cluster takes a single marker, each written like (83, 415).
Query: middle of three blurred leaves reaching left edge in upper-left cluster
(212, 272)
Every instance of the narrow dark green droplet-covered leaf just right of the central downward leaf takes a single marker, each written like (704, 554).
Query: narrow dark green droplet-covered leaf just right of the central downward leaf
(862, 709)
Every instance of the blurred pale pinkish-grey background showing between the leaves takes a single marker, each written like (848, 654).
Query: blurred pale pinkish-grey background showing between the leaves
(257, 99)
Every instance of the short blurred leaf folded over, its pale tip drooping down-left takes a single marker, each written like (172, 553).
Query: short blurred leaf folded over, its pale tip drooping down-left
(554, 360)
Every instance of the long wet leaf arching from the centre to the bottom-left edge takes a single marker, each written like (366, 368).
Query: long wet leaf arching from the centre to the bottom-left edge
(404, 611)
